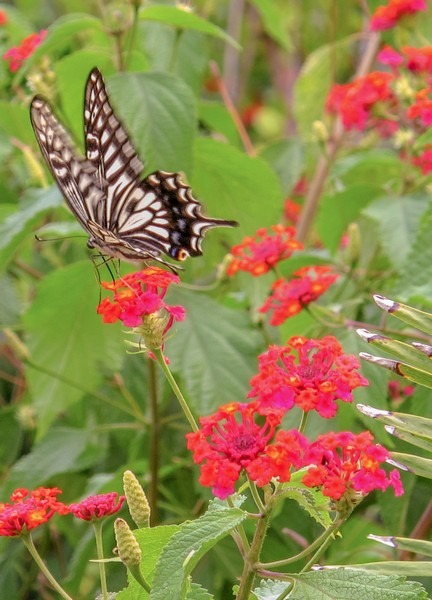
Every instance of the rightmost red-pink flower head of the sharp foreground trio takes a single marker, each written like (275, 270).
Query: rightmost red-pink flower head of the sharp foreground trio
(345, 461)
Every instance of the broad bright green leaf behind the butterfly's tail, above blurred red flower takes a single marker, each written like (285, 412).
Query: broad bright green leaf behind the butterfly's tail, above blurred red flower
(236, 186)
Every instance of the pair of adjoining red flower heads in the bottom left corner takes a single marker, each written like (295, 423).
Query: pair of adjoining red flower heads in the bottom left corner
(30, 509)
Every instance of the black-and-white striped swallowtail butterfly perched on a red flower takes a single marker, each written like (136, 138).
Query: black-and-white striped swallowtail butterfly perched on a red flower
(125, 216)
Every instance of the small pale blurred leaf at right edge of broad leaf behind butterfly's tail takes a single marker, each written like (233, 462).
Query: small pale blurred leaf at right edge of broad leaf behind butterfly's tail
(286, 157)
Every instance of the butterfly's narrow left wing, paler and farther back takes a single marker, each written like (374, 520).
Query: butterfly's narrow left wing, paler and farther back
(74, 174)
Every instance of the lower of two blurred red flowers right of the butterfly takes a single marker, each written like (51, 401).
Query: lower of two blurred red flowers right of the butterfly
(289, 297)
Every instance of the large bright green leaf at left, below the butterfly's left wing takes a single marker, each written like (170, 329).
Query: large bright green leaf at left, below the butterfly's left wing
(68, 342)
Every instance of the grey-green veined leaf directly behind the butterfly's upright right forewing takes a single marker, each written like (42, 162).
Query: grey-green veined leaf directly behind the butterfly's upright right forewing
(158, 110)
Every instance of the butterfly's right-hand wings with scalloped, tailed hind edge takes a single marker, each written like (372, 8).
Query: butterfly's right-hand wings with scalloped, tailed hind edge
(149, 217)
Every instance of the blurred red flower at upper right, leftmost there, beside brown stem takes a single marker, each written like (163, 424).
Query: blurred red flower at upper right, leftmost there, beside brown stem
(354, 101)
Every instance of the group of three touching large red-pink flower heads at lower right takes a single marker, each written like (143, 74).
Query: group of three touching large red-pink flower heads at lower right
(246, 438)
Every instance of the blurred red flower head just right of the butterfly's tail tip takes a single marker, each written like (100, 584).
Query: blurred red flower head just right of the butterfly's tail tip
(259, 253)
